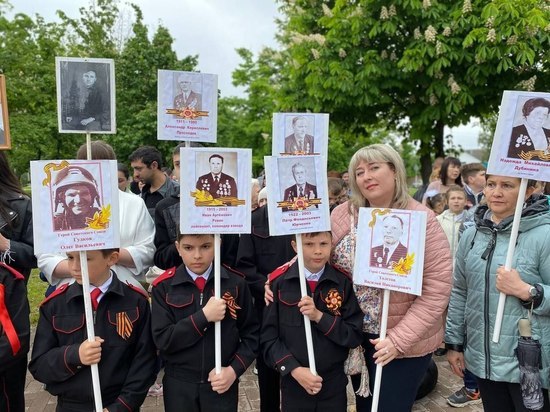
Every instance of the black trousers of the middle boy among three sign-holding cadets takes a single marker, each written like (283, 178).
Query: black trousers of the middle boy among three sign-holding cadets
(197, 397)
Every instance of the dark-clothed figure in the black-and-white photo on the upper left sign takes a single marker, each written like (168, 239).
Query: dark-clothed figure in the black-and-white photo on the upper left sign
(87, 104)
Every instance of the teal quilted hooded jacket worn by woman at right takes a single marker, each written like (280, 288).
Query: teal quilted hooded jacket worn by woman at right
(474, 296)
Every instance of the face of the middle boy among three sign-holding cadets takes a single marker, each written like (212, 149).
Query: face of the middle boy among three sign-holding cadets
(197, 252)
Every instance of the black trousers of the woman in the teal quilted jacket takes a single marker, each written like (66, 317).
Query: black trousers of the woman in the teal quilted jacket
(505, 397)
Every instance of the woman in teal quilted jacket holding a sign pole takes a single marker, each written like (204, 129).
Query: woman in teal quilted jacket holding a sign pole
(479, 276)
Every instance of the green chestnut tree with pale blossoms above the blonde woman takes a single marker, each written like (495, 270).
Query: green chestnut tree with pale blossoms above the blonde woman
(429, 63)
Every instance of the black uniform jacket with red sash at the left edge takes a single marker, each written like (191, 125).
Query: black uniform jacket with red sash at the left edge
(14, 318)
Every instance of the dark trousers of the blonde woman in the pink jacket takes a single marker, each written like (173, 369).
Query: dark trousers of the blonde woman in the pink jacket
(400, 381)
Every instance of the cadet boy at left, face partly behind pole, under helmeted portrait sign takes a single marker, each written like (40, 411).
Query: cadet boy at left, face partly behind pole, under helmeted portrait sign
(123, 345)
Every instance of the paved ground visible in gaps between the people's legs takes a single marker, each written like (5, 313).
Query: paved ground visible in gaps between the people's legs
(39, 400)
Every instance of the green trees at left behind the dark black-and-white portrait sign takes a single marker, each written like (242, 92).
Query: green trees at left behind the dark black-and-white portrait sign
(27, 58)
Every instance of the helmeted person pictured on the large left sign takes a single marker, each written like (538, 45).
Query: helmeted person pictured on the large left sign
(76, 198)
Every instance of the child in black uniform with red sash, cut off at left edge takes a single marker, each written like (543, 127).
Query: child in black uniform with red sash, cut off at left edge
(14, 339)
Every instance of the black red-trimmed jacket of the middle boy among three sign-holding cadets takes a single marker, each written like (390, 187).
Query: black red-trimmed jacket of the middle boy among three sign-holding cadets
(186, 339)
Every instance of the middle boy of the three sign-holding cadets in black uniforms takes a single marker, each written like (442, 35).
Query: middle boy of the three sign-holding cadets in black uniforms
(184, 312)
